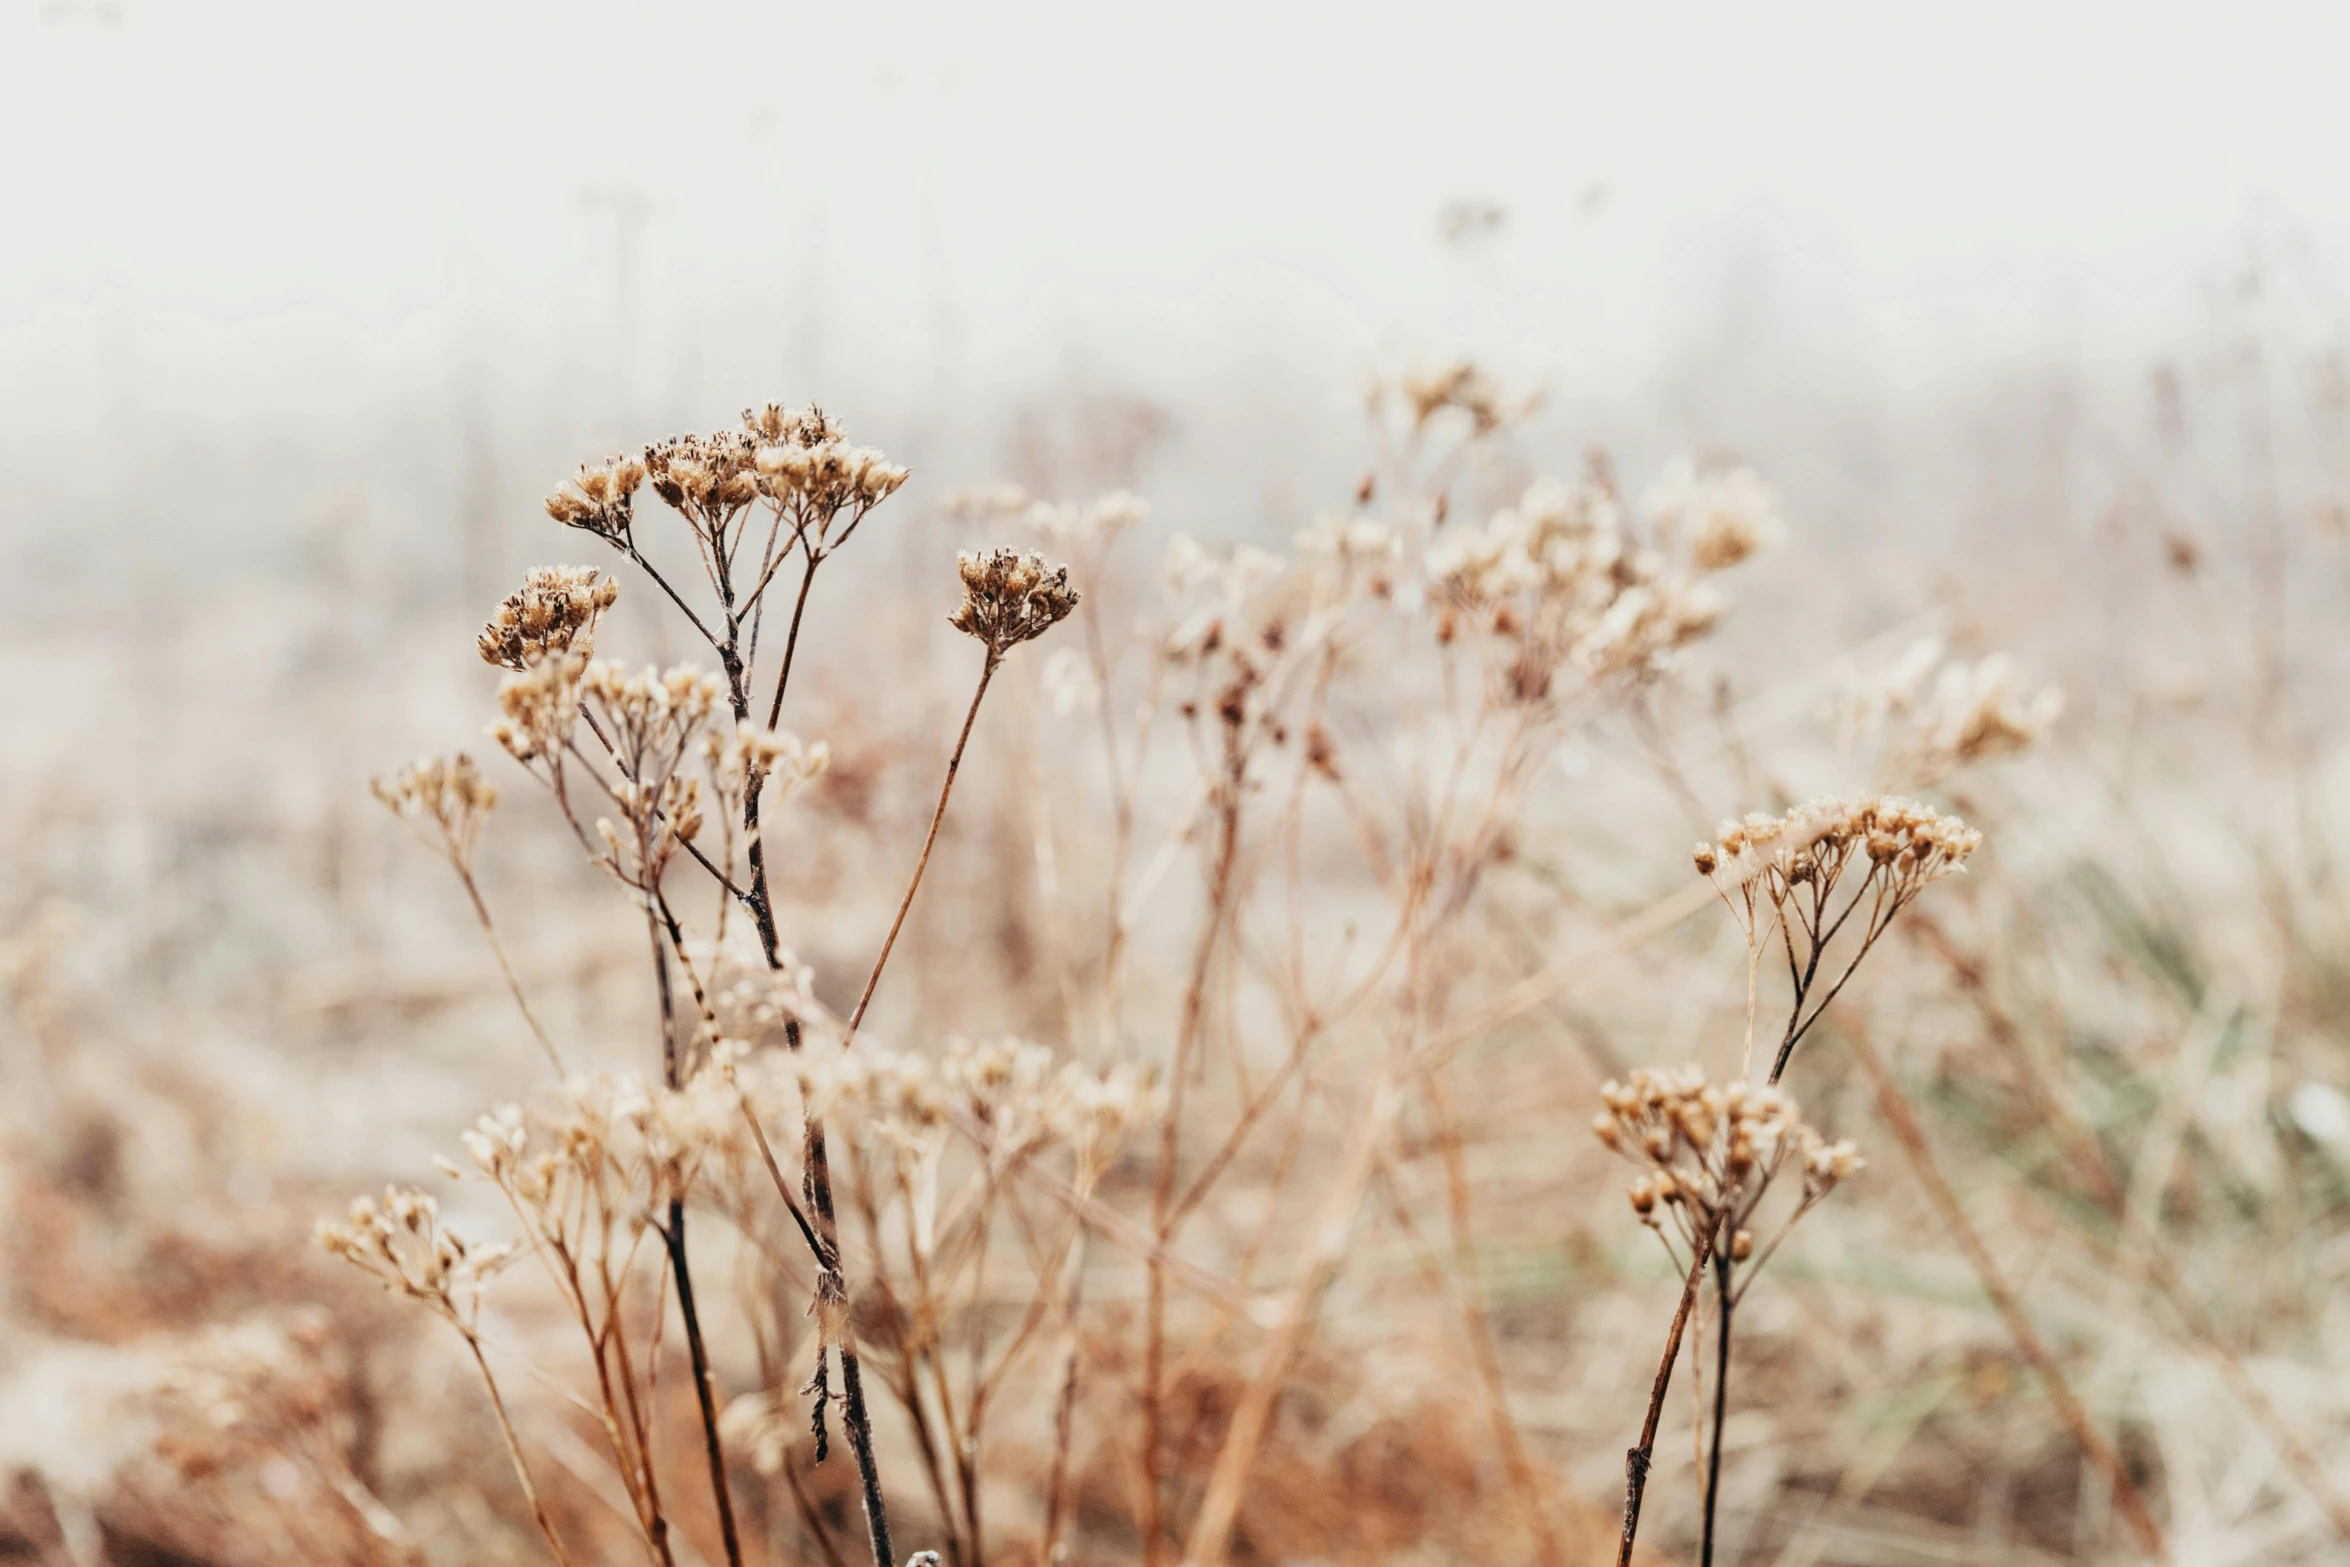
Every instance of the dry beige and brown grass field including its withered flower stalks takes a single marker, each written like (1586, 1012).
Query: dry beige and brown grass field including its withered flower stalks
(1129, 1098)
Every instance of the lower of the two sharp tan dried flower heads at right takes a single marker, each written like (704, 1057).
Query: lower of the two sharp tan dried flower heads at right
(1712, 1155)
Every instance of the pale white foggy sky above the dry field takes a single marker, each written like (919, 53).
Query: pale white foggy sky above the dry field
(257, 210)
